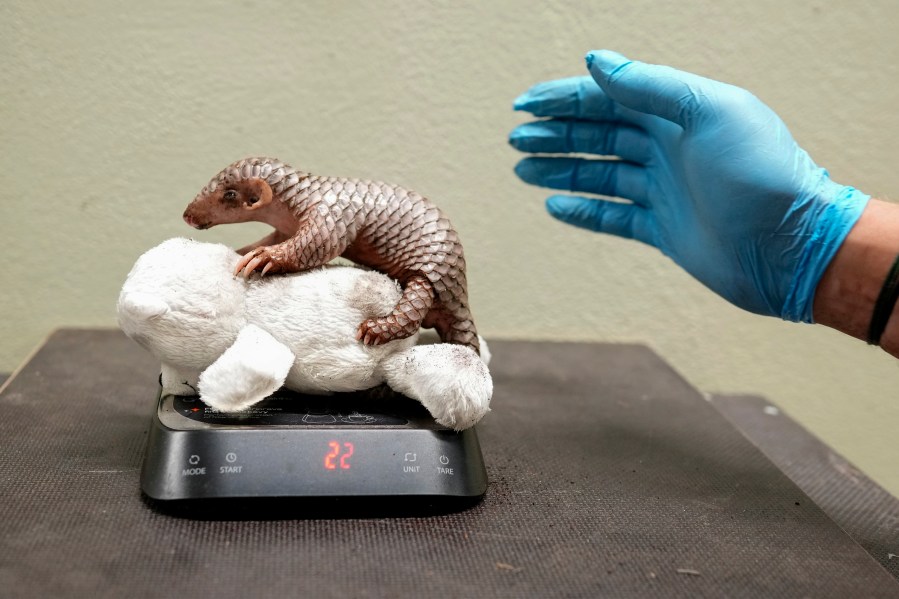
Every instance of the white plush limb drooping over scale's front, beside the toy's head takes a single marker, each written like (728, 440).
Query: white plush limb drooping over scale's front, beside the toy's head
(254, 367)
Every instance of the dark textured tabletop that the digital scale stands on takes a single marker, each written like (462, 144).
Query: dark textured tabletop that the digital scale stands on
(609, 476)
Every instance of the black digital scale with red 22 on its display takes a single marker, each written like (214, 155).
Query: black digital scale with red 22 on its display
(346, 451)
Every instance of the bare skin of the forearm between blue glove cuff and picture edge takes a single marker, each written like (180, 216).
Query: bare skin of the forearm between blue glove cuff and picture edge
(848, 291)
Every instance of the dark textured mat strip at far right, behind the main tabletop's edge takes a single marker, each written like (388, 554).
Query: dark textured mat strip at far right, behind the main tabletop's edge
(862, 508)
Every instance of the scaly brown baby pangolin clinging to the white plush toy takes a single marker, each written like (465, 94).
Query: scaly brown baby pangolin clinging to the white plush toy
(378, 225)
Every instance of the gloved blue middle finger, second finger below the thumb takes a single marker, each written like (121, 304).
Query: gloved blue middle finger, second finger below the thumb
(588, 137)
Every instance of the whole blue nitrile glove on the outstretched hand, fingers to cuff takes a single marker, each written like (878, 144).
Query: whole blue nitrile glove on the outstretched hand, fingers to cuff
(713, 177)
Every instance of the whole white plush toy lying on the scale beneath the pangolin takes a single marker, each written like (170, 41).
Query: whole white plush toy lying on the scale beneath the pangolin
(235, 341)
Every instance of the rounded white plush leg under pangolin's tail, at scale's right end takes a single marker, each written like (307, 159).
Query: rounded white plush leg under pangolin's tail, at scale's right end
(450, 380)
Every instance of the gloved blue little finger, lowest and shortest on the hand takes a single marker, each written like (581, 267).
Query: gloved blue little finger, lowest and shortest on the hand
(624, 220)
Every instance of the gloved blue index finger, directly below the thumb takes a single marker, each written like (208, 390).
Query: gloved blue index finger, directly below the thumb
(574, 97)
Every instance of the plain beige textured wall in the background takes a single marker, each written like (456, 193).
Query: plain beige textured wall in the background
(114, 116)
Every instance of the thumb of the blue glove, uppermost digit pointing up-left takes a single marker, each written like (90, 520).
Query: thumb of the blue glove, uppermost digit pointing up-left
(658, 90)
